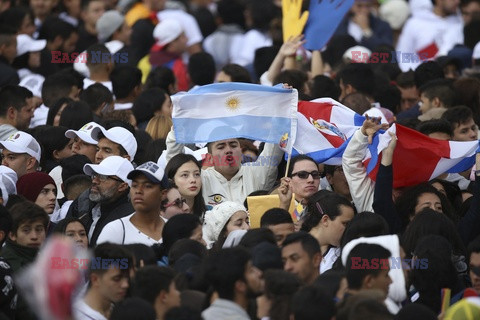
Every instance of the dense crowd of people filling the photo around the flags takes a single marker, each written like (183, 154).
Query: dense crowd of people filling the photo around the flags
(89, 154)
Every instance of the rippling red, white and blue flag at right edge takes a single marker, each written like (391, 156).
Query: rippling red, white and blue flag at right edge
(419, 158)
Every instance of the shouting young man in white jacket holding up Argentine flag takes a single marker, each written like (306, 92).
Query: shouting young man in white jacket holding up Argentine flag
(228, 179)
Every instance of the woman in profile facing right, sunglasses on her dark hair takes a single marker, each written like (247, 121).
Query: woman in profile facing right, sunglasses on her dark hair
(326, 216)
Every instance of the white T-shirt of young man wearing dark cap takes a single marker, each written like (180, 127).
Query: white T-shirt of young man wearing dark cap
(122, 231)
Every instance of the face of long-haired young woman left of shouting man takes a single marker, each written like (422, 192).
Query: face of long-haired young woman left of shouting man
(187, 179)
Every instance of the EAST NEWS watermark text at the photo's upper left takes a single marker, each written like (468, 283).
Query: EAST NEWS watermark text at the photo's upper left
(97, 57)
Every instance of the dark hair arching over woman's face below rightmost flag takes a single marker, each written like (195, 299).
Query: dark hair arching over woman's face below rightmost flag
(407, 201)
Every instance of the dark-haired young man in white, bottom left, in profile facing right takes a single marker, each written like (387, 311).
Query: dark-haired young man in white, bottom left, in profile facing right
(109, 277)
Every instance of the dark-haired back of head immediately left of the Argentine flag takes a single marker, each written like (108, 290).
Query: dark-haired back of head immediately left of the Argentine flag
(147, 103)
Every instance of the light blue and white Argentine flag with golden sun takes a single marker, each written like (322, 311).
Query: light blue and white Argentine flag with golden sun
(235, 110)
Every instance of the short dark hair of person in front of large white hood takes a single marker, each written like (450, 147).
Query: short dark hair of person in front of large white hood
(355, 276)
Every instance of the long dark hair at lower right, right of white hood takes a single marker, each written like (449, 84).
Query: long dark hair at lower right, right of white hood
(441, 272)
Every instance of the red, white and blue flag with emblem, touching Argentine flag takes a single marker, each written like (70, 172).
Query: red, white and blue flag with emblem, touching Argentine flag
(324, 129)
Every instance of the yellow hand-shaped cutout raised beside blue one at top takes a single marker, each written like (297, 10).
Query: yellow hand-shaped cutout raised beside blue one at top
(292, 22)
